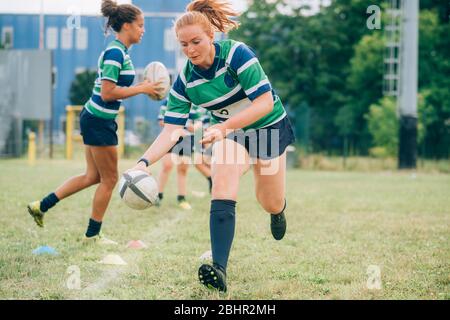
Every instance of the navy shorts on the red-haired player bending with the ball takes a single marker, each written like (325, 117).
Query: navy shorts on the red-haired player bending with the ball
(266, 143)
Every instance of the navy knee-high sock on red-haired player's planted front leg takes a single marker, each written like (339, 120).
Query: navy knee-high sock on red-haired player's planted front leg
(221, 226)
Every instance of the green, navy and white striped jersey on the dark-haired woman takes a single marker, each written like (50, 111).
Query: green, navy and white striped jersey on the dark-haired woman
(114, 64)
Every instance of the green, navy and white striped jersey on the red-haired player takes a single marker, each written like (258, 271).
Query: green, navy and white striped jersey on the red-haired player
(235, 79)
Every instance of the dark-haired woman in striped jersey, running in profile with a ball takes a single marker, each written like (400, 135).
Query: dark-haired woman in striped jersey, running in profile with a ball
(97, 119)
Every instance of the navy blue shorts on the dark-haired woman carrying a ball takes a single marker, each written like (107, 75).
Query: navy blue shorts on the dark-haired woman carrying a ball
(97, 131)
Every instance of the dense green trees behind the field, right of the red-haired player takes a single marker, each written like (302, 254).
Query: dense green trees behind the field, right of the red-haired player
(329, 68)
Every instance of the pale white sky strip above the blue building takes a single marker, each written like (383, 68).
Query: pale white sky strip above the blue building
(88, 7)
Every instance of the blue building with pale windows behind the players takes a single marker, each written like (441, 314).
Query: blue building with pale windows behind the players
(76, 39)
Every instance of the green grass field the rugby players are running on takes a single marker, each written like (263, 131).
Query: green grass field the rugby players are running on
(339, 224)
